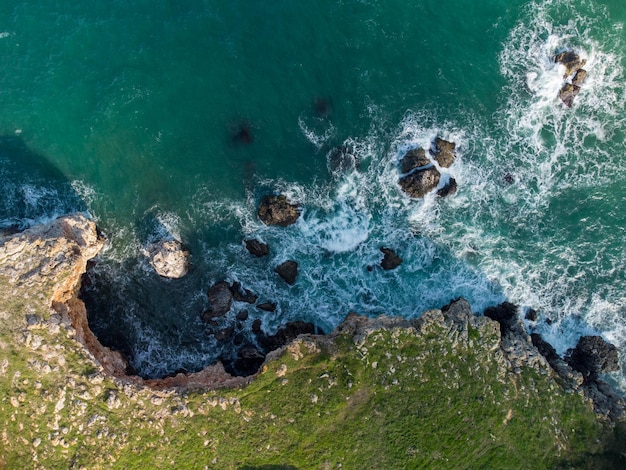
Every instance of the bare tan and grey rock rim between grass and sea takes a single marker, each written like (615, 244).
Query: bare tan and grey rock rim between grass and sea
(52, 258)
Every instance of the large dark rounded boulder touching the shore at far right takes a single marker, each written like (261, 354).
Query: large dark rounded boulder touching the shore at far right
(592, 356)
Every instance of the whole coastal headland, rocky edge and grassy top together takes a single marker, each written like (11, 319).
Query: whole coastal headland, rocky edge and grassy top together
(448, 388)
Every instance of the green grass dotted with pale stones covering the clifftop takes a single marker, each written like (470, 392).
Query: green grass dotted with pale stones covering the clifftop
(399, 401)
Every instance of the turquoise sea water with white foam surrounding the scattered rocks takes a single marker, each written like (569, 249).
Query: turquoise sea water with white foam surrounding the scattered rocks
(131, 111)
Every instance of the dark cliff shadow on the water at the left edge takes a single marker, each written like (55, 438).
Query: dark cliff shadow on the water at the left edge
(32, 188)
